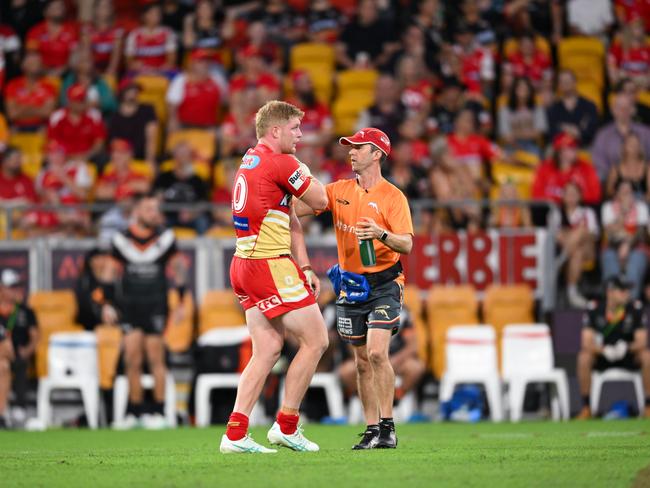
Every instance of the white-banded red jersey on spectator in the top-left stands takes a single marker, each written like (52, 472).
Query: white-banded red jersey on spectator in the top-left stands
(151, 47)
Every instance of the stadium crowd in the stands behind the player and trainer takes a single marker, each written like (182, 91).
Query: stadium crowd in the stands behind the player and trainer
(503, 101)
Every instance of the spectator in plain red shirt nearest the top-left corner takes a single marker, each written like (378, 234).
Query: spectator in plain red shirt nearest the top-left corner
(54, 38)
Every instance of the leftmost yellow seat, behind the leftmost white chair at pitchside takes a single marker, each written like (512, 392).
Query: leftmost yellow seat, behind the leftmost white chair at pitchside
(55, 311)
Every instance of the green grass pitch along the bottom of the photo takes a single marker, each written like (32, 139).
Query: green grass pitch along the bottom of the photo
(574, 454)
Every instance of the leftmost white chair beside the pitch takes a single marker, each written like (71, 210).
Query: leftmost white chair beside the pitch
(71, 364)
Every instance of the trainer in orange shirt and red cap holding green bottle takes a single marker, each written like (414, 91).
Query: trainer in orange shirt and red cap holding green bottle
(369, 208)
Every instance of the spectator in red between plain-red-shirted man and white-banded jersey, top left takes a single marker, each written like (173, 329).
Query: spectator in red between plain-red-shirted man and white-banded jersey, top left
(105, 38)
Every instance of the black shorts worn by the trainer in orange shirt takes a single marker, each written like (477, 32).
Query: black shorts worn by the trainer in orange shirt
(381, 311)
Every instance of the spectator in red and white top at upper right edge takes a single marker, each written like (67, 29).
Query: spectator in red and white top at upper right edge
(630, 57)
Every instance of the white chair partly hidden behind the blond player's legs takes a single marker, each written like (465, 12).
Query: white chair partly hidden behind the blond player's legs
(207, 382)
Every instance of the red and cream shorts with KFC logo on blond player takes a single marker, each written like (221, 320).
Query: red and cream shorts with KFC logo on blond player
(276, 286)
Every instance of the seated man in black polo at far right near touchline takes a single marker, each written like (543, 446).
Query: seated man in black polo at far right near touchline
(614, 336)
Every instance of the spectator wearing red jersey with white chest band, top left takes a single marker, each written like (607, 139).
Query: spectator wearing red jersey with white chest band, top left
(151, 47)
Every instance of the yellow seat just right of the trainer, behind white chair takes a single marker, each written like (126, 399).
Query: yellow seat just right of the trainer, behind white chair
(448, 306)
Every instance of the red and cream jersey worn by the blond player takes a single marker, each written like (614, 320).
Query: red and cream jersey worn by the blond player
(261, 200)
